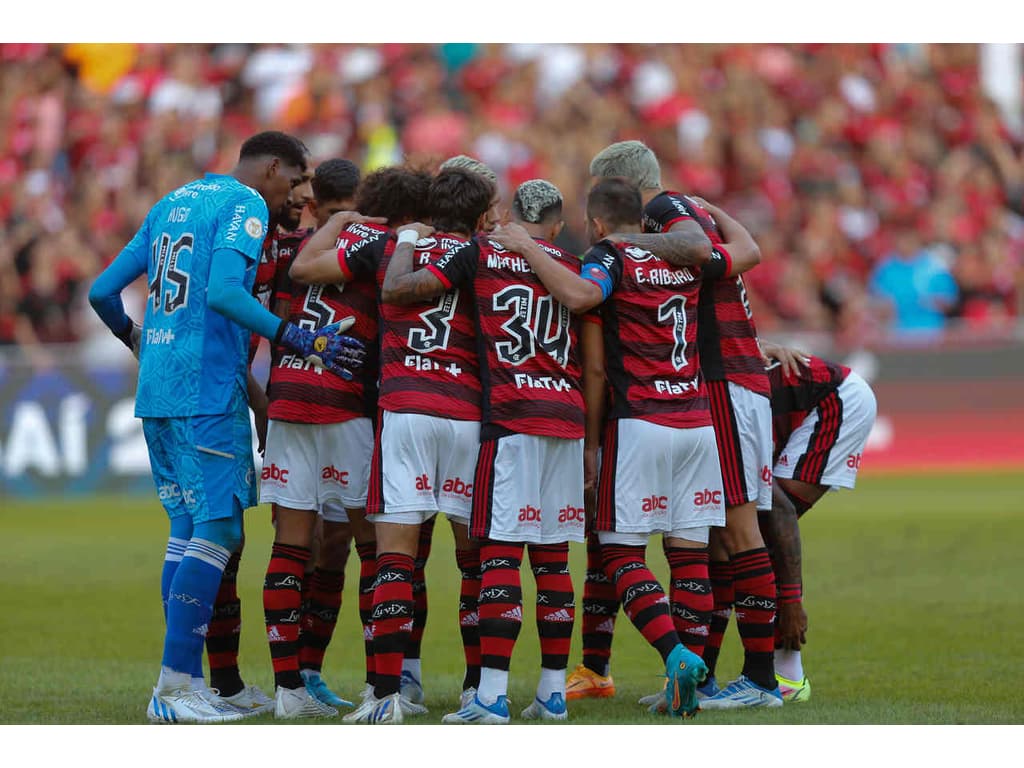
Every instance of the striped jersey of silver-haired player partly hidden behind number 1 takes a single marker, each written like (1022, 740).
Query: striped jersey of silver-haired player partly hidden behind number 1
(729, 338)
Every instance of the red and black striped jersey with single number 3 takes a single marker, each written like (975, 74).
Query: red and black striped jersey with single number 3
(429, 351)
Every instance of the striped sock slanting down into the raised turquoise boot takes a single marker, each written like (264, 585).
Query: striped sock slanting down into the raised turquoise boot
(643, 598)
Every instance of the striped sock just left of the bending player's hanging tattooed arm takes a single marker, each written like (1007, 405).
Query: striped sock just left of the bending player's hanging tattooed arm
(754, 583)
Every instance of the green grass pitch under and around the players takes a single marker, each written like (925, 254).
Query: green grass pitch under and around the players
(913, 589)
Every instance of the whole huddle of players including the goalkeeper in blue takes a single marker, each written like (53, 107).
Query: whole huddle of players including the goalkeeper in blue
(431, 356)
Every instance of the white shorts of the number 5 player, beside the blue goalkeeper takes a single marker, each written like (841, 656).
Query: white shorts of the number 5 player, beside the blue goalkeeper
(309, 466)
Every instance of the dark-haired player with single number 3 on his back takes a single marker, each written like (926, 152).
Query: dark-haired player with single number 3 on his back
(429, 434)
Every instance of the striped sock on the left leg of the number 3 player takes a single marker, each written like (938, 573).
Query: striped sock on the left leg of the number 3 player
(392, 620)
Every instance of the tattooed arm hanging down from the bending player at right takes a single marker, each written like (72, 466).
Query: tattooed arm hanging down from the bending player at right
(781, 530)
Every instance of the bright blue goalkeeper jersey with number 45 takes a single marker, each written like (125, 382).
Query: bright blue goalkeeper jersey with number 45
(193, 358)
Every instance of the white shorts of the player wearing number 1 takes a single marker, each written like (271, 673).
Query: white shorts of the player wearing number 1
(657, 480)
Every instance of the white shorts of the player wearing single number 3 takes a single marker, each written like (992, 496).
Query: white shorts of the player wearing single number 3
(423, 465)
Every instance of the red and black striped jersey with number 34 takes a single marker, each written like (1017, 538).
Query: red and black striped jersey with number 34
(527, 342)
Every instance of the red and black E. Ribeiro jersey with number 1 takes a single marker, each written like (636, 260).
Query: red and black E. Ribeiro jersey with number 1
(651, 332)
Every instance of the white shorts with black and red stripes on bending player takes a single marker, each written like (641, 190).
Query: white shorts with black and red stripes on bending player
(826, 449)
